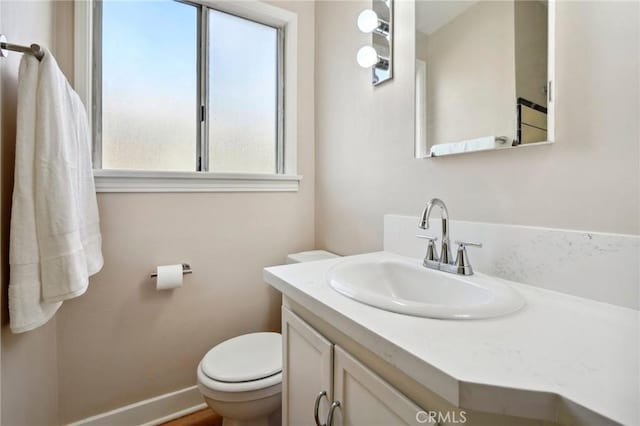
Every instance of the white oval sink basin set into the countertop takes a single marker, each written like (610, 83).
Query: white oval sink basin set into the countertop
(407, 287)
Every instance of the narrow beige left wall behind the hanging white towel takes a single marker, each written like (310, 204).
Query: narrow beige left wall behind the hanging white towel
(29, 361)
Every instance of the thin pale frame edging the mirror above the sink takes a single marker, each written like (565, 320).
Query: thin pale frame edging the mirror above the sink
(422, 149)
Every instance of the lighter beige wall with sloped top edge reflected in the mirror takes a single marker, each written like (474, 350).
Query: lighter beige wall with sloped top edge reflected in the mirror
(470, 64)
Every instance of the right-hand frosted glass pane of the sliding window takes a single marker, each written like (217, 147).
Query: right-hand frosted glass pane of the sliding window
(242, 95)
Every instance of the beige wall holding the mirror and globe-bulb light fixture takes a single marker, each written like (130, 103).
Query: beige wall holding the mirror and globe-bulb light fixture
(365, 165)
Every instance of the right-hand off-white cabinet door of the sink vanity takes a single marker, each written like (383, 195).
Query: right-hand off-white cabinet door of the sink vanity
(366, 399)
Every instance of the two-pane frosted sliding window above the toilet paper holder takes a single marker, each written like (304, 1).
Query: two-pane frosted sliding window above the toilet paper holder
(182, 87)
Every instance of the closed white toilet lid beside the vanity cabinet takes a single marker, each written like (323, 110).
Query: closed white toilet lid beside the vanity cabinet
(244, 358)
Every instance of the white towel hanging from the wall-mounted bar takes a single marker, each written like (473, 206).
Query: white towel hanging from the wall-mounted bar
(55, 242)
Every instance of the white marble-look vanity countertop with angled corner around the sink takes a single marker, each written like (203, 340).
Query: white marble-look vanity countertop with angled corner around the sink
(560, 352)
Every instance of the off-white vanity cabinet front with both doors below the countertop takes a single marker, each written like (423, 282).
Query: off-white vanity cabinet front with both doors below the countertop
(313, 364)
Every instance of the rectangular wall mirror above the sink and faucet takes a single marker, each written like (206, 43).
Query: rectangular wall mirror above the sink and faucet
(483, 75)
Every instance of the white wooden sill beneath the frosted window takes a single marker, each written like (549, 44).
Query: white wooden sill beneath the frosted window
(150, 181)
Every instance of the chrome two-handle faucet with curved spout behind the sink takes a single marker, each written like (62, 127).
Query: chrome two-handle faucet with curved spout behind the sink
(444, 262)
